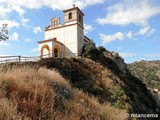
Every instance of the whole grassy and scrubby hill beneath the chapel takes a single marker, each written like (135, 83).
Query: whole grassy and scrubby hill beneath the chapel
(97, 86)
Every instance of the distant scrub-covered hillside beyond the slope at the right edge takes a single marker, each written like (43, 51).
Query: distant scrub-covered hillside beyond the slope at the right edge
(147, 71)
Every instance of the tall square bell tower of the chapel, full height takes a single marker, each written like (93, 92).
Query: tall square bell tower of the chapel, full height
(73, 22)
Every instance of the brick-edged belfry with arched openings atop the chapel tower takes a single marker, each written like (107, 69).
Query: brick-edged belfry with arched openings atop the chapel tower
(73, 15)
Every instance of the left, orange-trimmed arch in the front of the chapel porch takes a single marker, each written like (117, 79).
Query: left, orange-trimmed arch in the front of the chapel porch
(45, 51)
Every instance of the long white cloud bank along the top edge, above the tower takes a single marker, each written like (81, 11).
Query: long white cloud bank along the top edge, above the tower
(54, 4)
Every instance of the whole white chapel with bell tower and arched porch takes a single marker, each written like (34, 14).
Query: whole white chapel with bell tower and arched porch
(62, 40)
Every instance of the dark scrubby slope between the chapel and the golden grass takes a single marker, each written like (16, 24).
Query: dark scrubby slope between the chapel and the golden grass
(105, 83)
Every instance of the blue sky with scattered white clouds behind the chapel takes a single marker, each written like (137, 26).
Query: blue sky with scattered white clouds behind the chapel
(129, 27)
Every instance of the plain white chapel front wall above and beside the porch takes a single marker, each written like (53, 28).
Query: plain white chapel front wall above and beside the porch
(66, 35)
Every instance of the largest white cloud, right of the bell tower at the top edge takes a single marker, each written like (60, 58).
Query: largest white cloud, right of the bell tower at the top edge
(130, 11)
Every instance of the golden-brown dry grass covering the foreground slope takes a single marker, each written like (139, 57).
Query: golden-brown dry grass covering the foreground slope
(26, 93)
